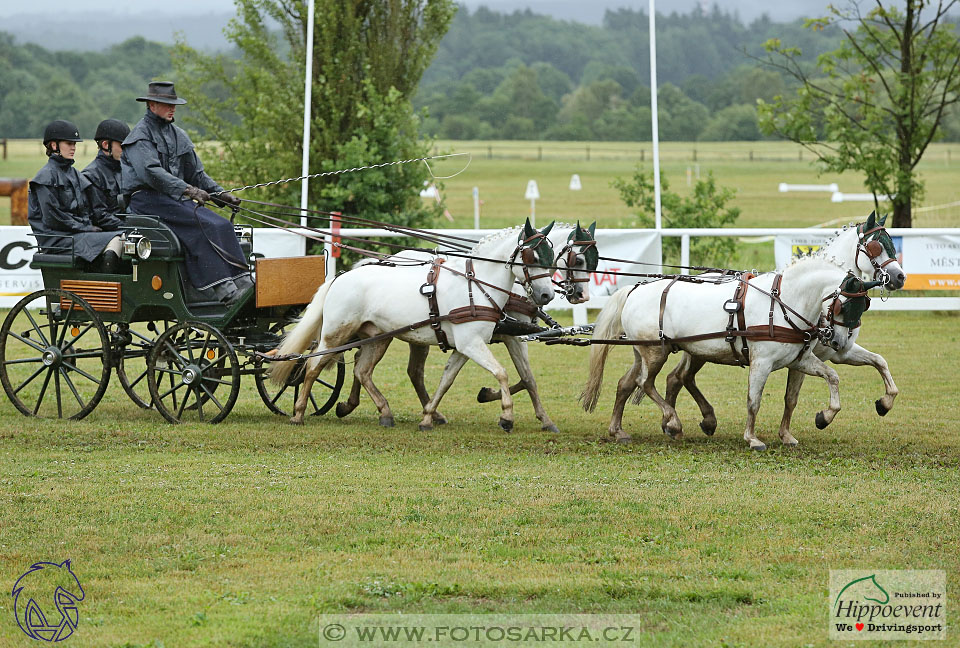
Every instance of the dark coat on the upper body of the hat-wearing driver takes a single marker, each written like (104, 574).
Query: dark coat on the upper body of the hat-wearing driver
(160, 156)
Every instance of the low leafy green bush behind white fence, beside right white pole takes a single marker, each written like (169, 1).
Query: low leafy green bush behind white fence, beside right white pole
(706, 207)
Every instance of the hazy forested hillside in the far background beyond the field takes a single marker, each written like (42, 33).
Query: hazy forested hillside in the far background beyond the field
(494, 76)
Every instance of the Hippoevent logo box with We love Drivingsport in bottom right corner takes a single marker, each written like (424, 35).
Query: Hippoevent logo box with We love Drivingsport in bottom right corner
(887, 604)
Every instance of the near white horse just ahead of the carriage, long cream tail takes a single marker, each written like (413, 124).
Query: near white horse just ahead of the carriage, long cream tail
(372, 300)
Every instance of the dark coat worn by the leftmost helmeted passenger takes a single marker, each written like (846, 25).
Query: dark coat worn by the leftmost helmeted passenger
(60, 212)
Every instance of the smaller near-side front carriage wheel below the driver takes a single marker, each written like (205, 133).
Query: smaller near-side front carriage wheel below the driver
(186, 366)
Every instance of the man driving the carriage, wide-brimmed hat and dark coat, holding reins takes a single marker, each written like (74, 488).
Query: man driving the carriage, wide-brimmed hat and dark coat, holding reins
(163, 176)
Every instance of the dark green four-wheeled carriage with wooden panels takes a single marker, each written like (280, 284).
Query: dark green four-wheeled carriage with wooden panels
(172, 350)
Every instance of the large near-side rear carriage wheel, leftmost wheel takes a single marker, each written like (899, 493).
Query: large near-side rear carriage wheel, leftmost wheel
(54, 358)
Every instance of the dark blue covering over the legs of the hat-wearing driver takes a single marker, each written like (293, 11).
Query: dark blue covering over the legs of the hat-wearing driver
(210, 246)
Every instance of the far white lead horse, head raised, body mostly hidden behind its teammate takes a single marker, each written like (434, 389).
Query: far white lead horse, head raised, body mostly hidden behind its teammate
(850, 250)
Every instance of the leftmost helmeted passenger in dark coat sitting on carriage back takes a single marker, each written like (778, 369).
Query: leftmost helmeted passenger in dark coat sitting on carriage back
(59, 206)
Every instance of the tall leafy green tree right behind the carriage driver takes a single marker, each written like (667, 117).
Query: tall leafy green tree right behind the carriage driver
(367, 62)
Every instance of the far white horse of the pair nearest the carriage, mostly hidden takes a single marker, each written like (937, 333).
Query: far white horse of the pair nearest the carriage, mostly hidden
(576, 258)
